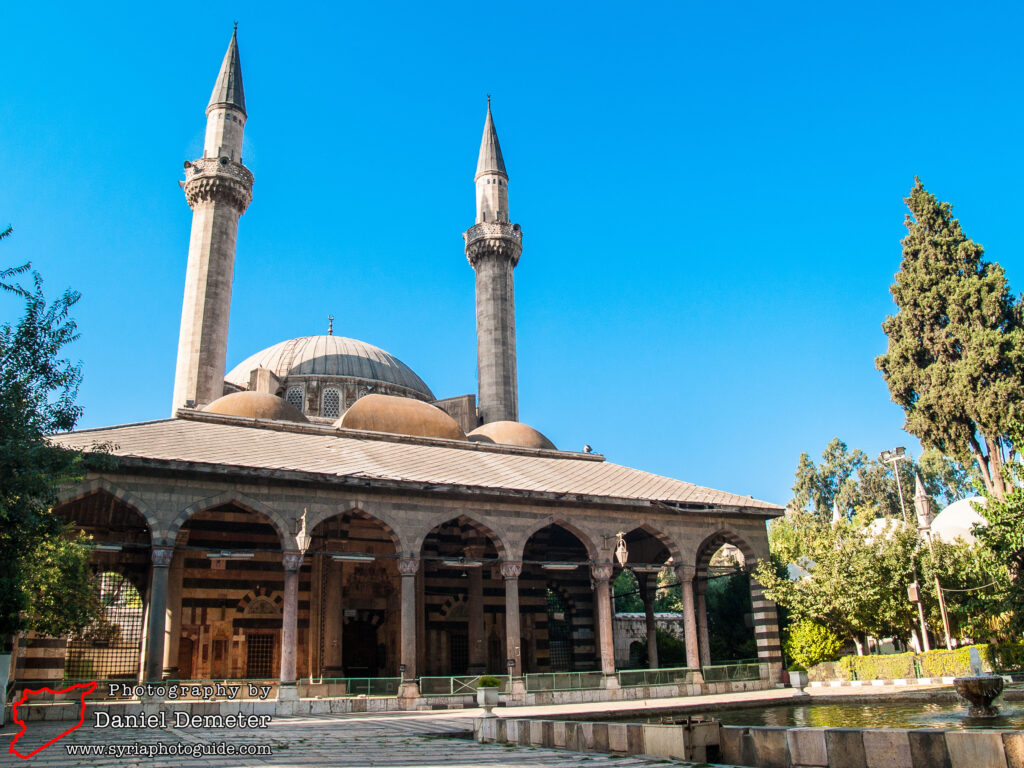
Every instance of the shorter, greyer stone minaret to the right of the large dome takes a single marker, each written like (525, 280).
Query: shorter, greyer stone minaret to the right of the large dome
(493, 247)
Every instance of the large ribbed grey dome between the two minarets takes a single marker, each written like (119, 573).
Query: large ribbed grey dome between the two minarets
(330, 356)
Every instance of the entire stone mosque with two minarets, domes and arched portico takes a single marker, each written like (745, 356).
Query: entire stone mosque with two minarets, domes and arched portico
(318, 513)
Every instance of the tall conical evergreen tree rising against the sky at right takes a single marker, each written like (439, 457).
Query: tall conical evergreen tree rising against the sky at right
(956, 358)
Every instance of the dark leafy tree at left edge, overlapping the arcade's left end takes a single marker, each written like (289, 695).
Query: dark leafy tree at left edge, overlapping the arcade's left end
(46, 584)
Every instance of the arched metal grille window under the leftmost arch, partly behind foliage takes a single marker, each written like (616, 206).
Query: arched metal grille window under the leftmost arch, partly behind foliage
(110, 649)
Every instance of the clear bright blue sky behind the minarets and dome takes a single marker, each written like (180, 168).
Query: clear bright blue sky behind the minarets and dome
(711, 197)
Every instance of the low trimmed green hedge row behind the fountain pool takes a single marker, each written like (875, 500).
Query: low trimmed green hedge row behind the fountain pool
(1007, 658)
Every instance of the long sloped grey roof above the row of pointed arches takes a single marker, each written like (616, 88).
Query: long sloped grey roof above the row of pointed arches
(198, 439)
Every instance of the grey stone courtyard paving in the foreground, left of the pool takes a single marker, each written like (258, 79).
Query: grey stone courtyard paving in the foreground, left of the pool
(413, 740)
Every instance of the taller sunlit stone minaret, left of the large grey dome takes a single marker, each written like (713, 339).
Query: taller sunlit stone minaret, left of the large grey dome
(219, 189)
